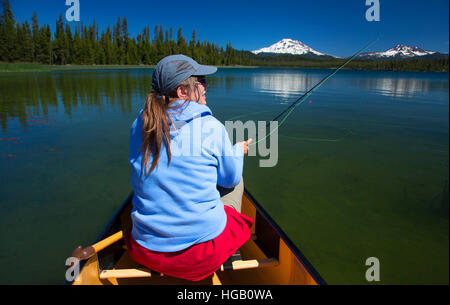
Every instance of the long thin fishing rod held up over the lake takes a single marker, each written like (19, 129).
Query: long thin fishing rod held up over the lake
(301, 99)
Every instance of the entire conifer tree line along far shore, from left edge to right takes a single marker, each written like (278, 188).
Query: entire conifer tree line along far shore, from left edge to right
(84, 44)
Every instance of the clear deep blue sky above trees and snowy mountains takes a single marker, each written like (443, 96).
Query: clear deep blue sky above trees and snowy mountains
(336, 27)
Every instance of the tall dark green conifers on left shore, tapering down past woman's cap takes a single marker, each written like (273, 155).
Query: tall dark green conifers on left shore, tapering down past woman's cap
(84, 44)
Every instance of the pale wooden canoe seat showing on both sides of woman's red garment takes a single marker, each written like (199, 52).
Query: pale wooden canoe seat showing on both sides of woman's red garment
(235, 262)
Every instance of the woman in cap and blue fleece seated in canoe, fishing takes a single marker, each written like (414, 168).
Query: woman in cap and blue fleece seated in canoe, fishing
(181, 158)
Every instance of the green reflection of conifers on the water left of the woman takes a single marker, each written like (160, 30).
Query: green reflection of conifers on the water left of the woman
(26, 96)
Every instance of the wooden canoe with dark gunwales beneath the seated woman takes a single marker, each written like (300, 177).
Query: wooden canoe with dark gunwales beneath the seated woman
(269, 257)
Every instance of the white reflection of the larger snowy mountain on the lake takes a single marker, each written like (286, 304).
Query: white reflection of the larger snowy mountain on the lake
(284, 85)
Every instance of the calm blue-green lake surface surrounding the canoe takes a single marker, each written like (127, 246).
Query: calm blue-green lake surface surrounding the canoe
(362, 170)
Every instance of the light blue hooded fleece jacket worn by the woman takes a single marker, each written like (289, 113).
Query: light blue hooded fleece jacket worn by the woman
(178, 204)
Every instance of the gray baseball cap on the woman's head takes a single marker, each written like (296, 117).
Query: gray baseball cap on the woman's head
(175, 69)
